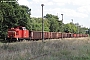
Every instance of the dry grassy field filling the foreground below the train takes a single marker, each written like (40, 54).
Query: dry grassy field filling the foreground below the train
(65, 49)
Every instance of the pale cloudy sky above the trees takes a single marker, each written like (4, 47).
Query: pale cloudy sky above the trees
(78, 10)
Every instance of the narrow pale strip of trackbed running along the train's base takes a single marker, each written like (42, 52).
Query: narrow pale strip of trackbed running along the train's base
(46, 40)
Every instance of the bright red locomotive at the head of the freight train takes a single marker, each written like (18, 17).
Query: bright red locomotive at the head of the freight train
(18, 33)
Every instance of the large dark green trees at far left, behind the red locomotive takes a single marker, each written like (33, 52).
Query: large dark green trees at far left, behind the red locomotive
(13, 14)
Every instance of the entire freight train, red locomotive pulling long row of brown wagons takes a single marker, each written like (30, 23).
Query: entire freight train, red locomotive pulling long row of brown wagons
(20, 33)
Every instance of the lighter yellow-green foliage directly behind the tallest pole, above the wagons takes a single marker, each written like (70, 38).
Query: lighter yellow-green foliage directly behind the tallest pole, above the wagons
(36, 24)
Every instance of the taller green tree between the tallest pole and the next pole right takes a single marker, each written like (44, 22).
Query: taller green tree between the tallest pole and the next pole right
(53, 22)
